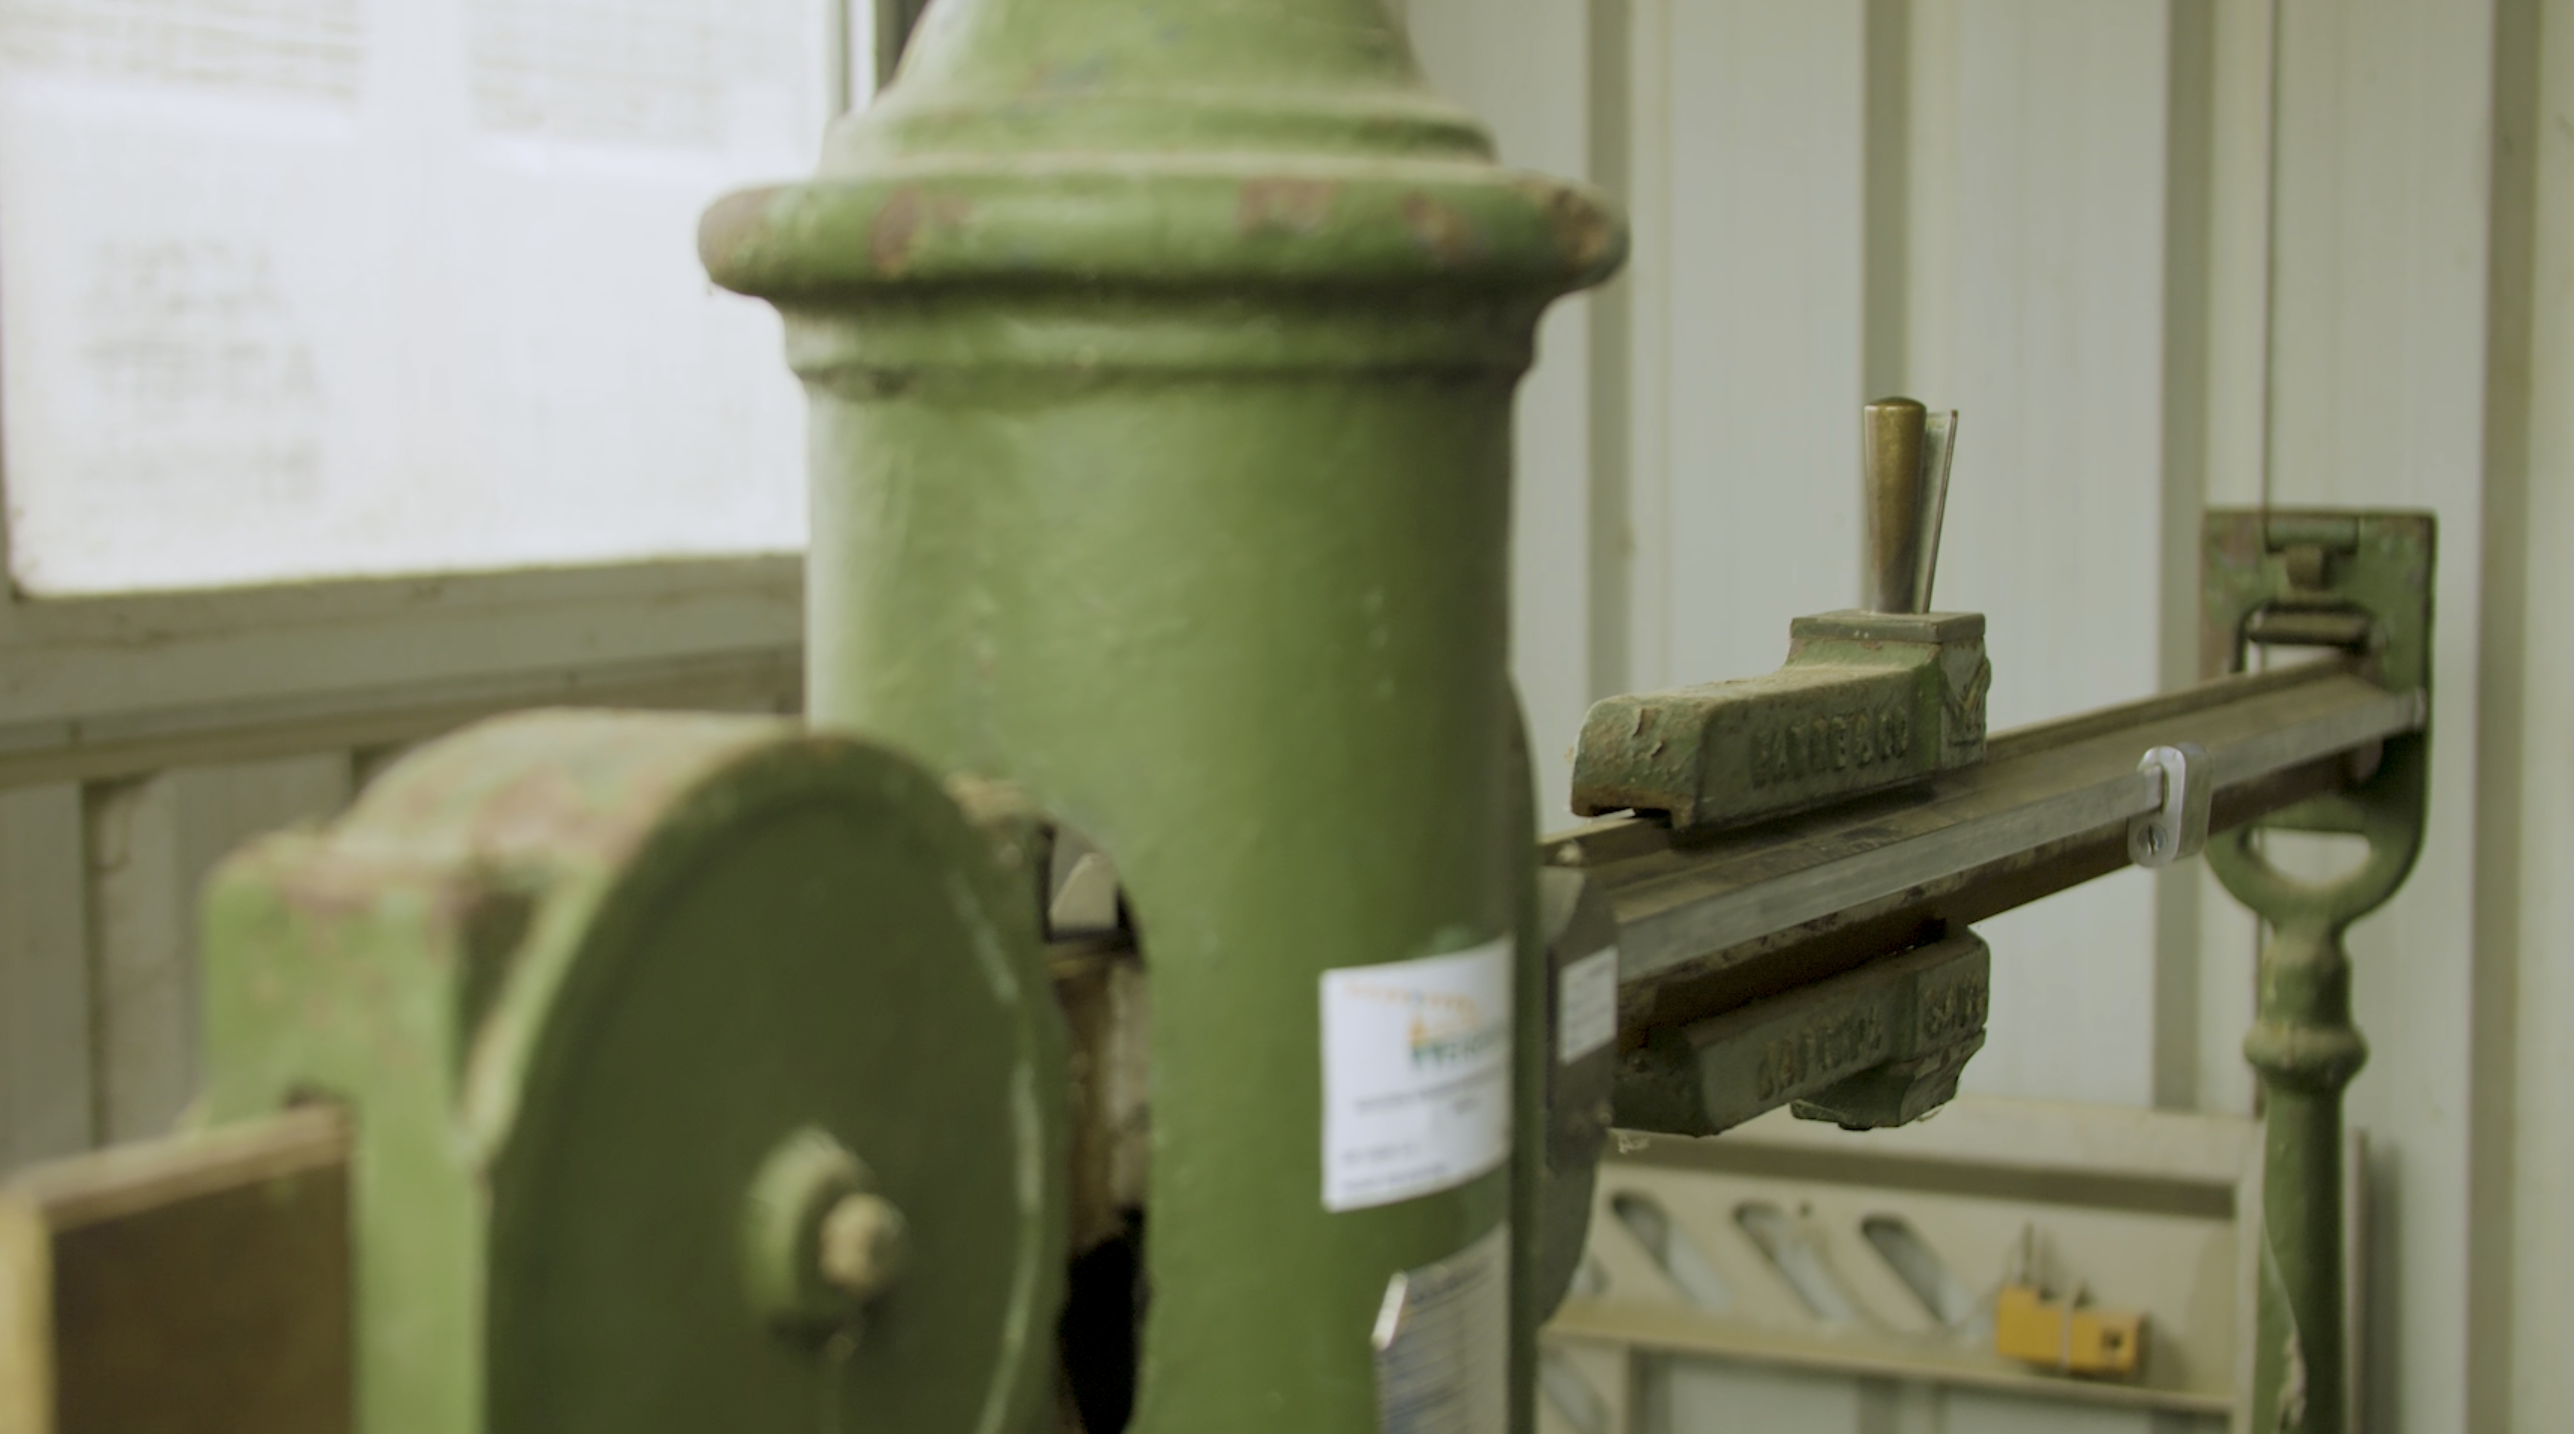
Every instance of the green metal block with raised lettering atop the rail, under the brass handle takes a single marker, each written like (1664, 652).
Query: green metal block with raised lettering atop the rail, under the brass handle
(1865, 702)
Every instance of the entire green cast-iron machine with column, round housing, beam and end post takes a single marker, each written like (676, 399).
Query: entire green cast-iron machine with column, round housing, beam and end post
(1139, 995)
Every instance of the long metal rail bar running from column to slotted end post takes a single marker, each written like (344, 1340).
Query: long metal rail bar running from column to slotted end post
(1713, 923)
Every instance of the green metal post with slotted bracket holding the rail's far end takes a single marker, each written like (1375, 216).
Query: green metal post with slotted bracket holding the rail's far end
(2310, 570)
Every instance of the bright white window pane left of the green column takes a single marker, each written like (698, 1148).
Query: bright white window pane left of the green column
(372, 287)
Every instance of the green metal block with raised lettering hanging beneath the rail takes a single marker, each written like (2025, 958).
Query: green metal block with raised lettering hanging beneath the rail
(1878, 1047)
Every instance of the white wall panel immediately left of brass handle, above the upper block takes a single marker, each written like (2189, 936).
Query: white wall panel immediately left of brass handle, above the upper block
(1762, 284)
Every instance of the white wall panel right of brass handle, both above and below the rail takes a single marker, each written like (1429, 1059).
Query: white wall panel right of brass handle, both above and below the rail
(2045, 331)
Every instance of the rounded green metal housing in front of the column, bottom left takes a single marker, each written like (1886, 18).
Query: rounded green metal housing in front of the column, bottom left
(578, 980)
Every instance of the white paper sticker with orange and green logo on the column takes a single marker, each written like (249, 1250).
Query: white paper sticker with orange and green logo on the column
(1417, 1075)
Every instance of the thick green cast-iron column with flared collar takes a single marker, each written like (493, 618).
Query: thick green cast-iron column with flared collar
(1162, 367)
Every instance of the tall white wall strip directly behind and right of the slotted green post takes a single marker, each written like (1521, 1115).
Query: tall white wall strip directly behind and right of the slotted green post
(2377, 398)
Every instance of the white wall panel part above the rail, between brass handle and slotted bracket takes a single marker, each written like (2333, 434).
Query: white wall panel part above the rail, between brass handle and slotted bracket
(2055, 346)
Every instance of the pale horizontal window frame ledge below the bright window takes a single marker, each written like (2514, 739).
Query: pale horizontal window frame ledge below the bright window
(112, 686)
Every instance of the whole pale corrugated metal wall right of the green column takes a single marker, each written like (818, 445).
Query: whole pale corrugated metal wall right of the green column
(2163, 254)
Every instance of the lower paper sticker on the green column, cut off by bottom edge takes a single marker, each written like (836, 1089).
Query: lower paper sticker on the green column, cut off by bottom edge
(1445, 1343)
